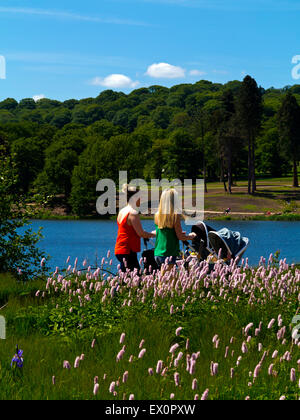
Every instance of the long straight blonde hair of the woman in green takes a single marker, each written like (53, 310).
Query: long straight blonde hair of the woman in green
(168, 209)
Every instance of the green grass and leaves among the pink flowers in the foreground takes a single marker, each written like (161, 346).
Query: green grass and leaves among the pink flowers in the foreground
(49, 334)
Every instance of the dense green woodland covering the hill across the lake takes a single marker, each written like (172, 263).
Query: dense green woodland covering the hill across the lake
(208, 130)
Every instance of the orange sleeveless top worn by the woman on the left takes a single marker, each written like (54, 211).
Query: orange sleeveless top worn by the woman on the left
(128, 240)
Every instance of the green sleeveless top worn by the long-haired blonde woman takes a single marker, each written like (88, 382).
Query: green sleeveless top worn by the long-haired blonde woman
(167, 243)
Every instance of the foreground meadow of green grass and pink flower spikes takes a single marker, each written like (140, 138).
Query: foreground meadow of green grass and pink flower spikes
(227, 332)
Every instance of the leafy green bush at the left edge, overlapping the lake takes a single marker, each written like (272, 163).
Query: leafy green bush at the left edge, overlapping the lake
(19, 254)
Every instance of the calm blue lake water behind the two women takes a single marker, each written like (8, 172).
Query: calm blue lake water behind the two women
(92, 239)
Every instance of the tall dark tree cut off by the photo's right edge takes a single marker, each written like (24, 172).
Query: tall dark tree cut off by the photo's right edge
(289, 132)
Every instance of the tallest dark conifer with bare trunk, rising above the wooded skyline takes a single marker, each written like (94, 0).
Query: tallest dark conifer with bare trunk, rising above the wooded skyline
(249, 115)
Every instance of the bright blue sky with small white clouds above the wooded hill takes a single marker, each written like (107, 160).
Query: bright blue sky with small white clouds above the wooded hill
(76, 49)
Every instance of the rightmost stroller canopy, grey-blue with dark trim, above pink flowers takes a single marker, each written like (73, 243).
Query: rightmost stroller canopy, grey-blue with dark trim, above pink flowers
(228, 241)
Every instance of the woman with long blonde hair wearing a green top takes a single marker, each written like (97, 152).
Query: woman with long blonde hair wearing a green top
(168, 229)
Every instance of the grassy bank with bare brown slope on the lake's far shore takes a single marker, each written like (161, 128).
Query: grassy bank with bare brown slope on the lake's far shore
(274, 199)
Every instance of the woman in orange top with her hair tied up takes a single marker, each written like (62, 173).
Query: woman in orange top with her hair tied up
(130, 232)
